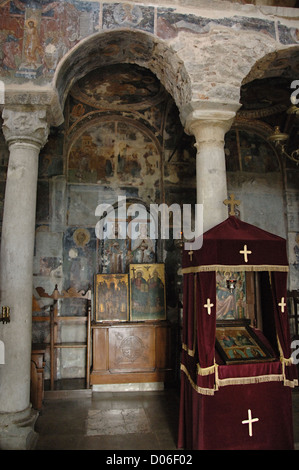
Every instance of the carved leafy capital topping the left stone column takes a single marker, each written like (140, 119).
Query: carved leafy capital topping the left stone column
(28, 126)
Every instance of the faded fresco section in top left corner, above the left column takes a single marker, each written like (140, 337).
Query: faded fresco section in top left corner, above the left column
(31, 39)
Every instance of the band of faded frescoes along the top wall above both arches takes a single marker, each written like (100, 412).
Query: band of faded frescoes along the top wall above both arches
(35, 35)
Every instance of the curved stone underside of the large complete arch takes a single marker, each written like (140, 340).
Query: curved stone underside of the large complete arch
(124, 46)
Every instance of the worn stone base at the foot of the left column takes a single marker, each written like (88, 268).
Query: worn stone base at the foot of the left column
(17, 430)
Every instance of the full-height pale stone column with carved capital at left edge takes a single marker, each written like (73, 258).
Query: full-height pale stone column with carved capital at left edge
(25, 132)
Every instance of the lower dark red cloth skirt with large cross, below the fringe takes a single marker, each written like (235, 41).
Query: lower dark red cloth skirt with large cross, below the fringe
(215, 422)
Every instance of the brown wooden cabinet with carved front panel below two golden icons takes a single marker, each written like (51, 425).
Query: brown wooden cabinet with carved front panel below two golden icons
(131, 352)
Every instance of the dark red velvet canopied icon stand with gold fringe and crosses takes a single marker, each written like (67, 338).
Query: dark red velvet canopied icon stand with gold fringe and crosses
(232, 245)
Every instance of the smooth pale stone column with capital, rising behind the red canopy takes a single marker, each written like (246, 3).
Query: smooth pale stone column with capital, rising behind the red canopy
(209, 128)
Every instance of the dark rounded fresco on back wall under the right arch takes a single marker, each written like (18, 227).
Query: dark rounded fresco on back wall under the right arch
(247, 151)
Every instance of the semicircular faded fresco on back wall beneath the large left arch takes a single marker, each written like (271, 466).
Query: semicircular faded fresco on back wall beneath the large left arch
(113, 153)
